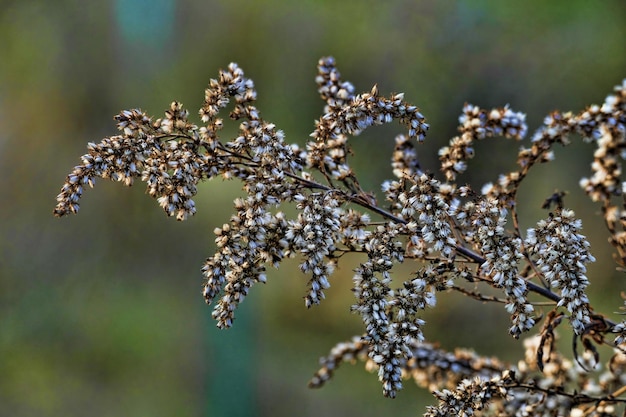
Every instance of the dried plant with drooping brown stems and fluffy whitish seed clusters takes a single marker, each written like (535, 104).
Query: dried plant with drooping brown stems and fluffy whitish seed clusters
(452, 234)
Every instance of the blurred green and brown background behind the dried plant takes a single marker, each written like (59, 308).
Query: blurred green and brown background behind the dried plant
(101, 313)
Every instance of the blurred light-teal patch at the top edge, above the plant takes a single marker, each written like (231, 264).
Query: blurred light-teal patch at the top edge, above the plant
(146, 22)
